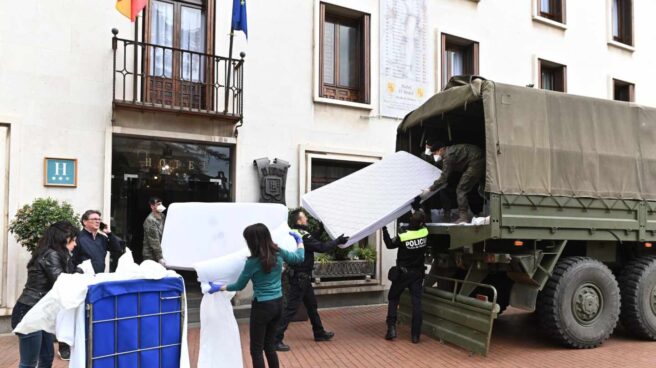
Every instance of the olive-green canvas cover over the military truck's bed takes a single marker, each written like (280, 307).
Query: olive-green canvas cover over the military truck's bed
(542, 142)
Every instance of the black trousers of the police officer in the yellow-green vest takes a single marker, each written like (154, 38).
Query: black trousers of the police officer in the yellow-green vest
(412, 280)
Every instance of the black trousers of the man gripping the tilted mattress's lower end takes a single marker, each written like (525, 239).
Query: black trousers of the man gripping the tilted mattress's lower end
(300, 291)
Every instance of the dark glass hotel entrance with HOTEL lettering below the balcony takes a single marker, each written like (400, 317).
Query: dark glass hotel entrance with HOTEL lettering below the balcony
(172, 171)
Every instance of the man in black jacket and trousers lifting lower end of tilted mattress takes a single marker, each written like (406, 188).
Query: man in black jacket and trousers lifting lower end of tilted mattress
(300, 282)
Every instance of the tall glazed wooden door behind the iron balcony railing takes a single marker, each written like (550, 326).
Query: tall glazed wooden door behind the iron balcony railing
(176, 63)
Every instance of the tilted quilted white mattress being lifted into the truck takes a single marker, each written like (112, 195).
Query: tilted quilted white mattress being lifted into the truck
(363, 202)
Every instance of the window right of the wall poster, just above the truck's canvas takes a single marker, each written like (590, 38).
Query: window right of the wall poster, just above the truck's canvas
(459, 57)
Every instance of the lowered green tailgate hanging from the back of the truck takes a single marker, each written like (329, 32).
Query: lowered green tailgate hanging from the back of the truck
(461, 320)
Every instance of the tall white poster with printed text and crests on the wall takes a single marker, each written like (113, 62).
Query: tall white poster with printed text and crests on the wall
(403, 56)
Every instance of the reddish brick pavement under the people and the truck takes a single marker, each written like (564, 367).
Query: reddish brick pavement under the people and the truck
(359, 343)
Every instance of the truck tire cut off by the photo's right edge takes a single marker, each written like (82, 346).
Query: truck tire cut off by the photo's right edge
(638, 287)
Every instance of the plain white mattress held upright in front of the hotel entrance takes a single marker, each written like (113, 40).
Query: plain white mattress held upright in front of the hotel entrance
(195, 232)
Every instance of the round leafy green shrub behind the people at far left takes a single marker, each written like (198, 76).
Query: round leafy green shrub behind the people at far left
(33, 219)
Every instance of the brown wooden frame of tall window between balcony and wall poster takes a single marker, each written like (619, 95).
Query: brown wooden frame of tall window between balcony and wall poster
(363, 21)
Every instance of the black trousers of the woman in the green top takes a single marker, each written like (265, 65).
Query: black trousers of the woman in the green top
(264, 322)
